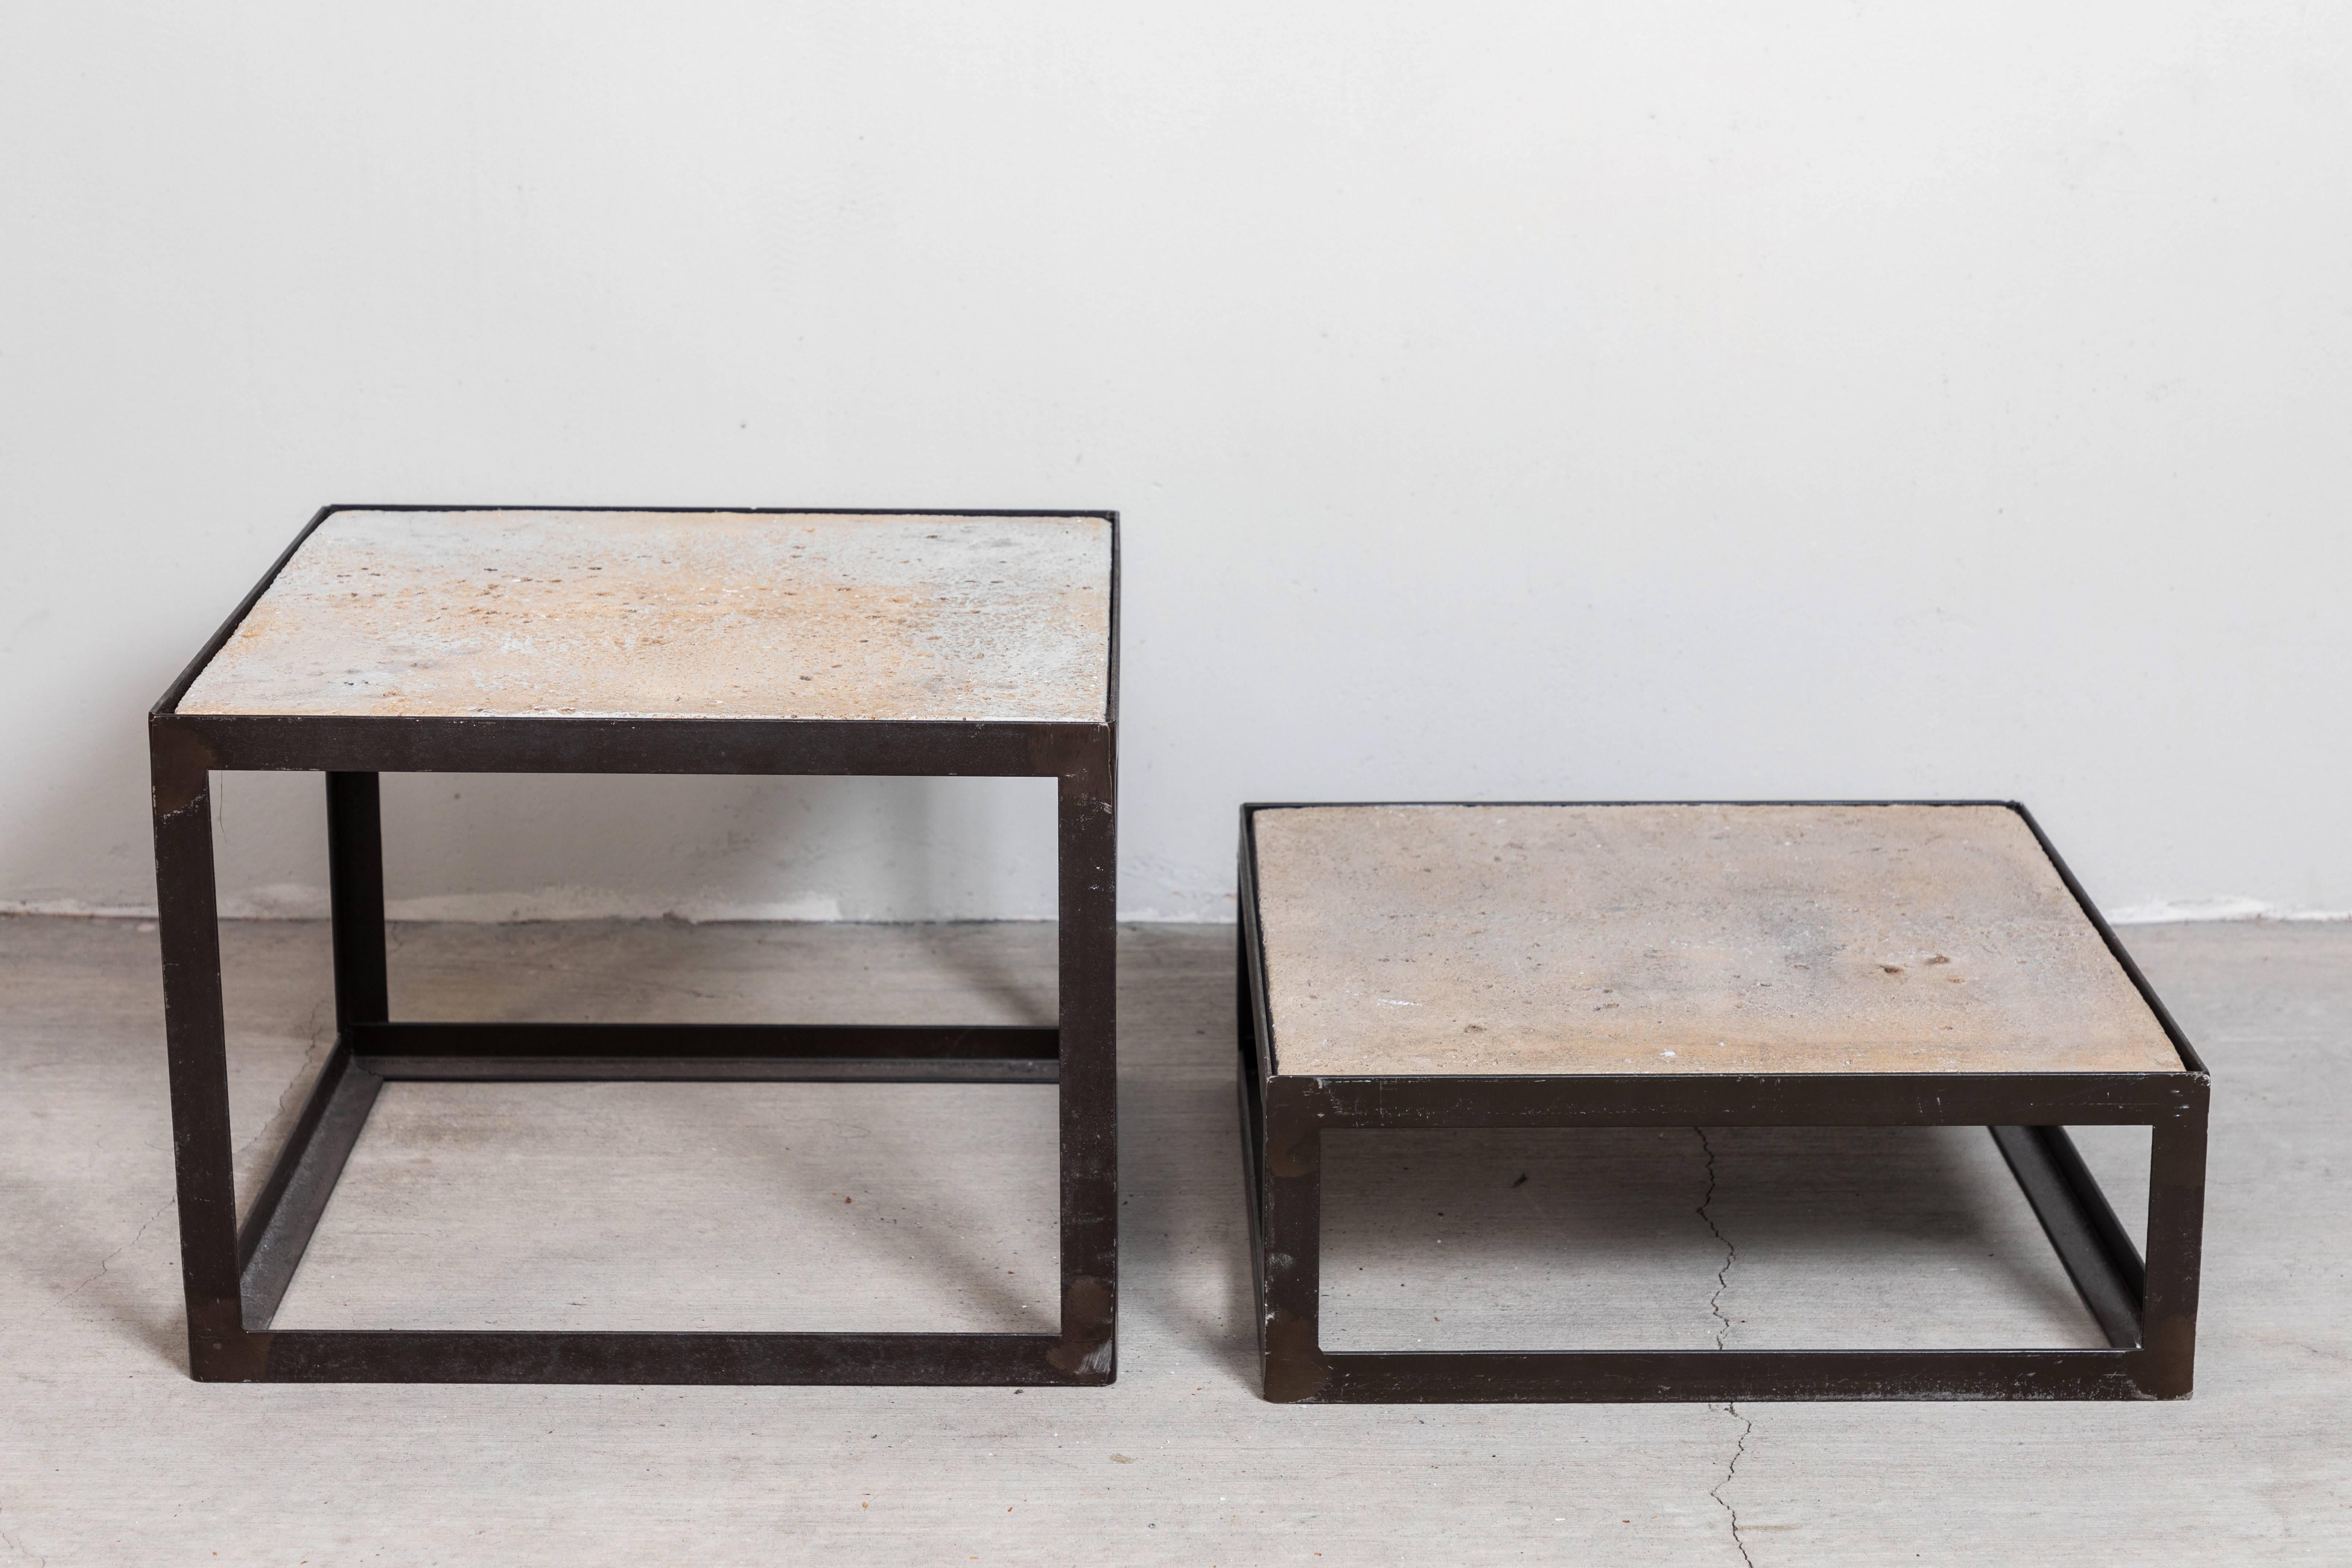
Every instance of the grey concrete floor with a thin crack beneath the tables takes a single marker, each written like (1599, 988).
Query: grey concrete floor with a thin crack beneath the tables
(723, 1207)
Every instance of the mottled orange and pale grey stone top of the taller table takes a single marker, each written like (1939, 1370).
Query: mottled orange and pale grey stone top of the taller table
(679, 615)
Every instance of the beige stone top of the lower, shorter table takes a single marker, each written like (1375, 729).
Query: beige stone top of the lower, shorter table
(1683, 939)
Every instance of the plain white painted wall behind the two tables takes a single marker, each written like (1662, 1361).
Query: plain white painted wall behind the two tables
(1514, 401)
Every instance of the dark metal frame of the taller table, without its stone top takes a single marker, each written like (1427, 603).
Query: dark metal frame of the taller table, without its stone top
(239, 1275)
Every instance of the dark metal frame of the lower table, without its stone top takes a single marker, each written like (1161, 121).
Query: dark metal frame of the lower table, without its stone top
(2149, 1311)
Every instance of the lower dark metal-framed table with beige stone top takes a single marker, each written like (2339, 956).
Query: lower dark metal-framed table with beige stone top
(1706, 965)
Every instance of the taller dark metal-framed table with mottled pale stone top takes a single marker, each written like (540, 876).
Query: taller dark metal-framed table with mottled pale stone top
(514, 641)
